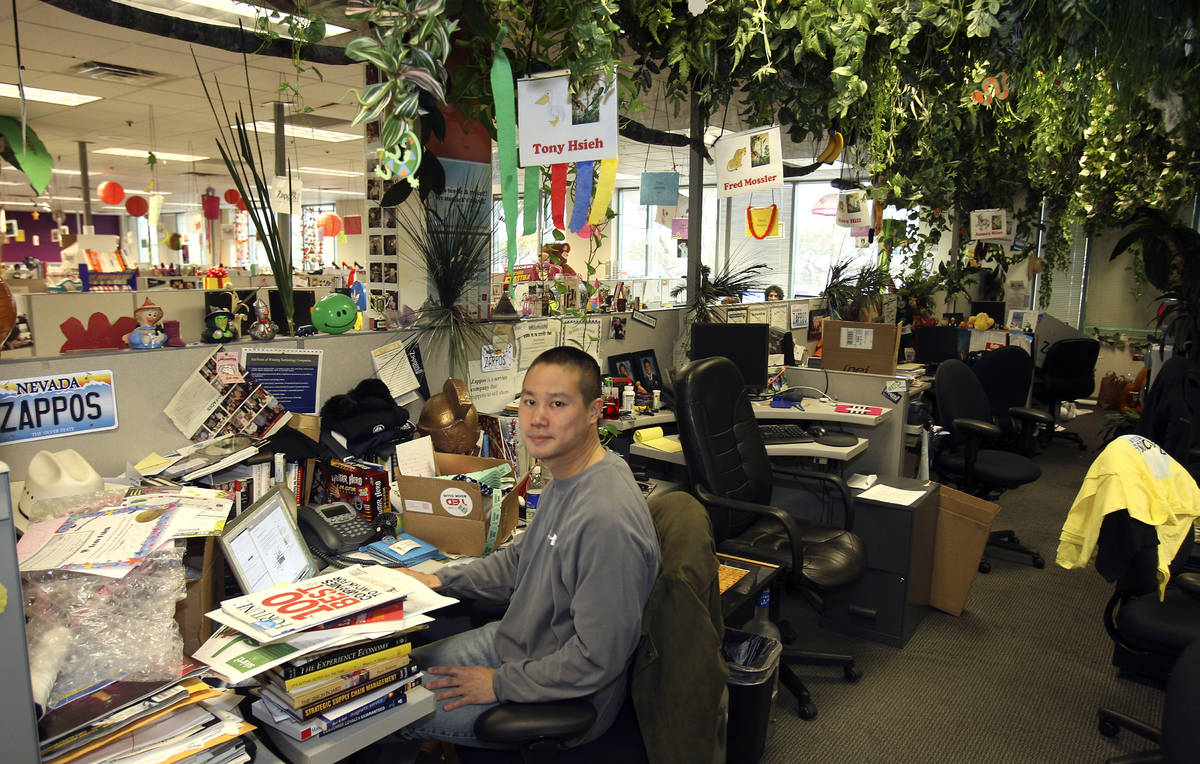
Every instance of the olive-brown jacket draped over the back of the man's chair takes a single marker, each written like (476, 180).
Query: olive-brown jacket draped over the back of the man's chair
(682, 635)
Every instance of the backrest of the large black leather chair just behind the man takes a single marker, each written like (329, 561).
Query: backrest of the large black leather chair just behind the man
(721, 440)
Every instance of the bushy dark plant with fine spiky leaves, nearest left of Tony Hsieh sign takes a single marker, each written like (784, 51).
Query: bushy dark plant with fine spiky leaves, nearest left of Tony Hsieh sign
(454, 248)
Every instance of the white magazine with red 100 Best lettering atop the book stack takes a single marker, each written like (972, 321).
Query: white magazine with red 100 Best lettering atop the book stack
(287, 610)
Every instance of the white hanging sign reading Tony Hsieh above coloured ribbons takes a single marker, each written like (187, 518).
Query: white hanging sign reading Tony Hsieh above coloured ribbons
(556, 127)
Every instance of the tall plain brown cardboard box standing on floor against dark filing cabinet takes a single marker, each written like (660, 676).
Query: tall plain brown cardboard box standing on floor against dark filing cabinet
(963, 526)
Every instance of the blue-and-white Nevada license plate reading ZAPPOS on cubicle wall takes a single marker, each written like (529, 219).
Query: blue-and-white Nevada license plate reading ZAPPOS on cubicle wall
(61, 405)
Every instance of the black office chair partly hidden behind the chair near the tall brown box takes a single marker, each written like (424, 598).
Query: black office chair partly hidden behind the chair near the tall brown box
(1006, 376)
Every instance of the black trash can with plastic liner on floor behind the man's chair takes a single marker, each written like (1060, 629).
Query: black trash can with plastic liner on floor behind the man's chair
(754, 665)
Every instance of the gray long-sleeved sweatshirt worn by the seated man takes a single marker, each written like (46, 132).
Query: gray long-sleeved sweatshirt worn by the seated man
(578, 581)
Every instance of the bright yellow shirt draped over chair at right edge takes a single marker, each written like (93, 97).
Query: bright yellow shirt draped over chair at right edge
(1132, 474)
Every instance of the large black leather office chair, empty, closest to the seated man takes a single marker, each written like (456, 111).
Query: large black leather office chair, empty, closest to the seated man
(733, 476)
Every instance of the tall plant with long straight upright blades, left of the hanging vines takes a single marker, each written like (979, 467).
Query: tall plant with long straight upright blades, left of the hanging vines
(247, 169)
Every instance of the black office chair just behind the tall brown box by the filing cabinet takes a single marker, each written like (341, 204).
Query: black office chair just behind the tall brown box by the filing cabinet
(964, 412)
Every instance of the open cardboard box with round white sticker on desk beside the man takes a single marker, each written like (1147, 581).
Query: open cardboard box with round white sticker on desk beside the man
(451, 515)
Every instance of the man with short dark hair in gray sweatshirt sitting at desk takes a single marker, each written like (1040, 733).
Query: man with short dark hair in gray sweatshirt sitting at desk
(577, 580)
